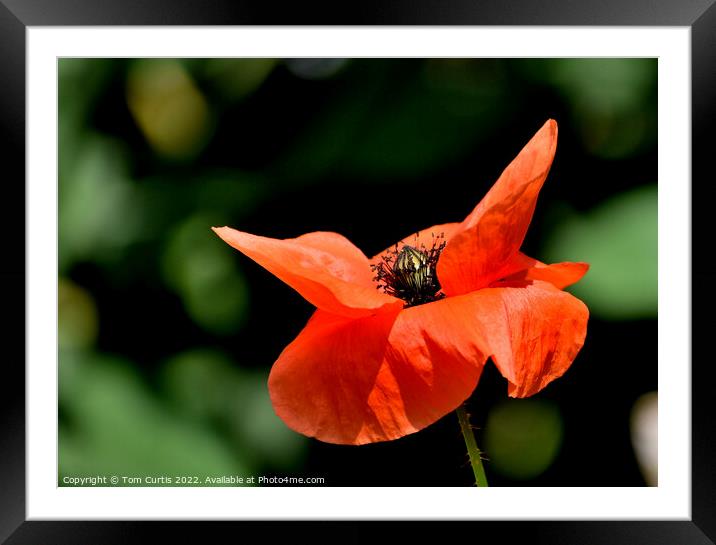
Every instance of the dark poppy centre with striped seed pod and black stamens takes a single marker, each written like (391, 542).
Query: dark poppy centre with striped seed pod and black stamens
(409, 273)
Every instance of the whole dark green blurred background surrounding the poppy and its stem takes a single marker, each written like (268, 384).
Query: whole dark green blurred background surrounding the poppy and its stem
(167, 334)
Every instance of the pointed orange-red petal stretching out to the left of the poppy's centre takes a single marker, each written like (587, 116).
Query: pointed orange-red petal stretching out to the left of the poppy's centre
(325, 268)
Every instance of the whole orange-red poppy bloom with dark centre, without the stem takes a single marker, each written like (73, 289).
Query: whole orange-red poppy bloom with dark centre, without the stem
(377, 364)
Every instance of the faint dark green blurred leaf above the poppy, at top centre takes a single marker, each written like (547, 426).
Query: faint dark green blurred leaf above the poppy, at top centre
(430, 121)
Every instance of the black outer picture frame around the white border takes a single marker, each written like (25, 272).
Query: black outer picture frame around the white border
(16, 15)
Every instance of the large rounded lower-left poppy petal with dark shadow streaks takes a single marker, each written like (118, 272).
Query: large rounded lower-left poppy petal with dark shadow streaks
(376, 378)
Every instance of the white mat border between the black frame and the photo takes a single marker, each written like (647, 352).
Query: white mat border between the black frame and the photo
(670, 500)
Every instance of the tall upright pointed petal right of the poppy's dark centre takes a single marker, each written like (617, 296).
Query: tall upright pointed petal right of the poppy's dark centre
(489, 237)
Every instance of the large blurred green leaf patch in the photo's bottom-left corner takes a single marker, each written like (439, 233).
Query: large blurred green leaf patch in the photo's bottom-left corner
(117, 427)
